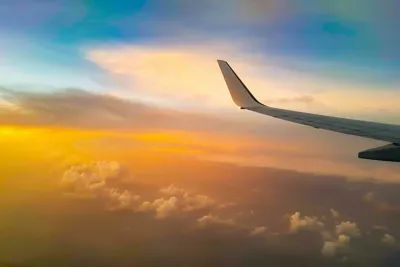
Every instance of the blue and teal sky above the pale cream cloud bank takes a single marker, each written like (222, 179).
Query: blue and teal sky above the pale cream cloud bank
(355, 41)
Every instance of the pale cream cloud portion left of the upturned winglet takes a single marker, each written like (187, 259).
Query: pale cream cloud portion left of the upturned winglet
(185, 73)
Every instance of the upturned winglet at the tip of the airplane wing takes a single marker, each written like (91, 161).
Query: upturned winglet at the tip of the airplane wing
(238, 90)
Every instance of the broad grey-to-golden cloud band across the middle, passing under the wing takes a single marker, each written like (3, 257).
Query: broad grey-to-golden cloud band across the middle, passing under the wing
(74, 125)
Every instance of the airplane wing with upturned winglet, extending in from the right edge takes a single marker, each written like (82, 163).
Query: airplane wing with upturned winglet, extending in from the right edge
(373, 130)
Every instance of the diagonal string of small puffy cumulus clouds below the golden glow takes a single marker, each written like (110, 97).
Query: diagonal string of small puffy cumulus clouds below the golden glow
(333, 238)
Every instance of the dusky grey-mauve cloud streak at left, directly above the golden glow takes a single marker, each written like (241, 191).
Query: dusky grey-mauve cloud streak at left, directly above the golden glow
(81, 109)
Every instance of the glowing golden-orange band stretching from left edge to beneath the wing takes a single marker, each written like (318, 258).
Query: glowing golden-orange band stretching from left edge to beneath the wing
(30, 151)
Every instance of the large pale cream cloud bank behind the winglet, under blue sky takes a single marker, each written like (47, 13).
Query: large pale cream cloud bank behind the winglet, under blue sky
(188, 75)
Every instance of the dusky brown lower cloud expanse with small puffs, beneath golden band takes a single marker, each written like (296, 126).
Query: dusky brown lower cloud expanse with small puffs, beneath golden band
(193, 232)
